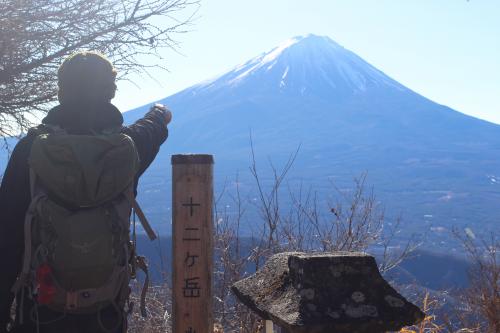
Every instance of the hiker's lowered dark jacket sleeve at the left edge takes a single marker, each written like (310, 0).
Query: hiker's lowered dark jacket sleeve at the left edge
(14, 202)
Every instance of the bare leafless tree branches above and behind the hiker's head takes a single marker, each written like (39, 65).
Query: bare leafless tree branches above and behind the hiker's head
(35, 35)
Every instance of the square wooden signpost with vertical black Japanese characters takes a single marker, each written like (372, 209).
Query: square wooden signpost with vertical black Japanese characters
(192, 202)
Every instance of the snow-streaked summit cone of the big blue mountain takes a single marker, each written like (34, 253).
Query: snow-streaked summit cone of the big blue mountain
(305, 65)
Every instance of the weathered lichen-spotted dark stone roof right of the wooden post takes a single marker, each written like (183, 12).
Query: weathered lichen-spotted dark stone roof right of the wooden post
(324, 293)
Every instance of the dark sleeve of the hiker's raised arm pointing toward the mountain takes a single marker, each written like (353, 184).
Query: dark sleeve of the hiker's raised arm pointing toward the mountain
(148, 134)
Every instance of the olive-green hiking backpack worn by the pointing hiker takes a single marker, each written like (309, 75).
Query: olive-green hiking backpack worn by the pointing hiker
(78, 254)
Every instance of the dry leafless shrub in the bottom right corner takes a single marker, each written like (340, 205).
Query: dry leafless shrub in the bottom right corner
(478, 306)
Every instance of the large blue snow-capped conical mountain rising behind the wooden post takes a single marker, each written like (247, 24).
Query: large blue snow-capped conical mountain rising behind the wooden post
(437, 167)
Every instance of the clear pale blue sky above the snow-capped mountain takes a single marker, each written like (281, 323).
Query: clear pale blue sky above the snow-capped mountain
(446, 50)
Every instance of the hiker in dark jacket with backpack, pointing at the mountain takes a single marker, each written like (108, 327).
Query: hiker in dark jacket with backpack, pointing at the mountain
(80, 164)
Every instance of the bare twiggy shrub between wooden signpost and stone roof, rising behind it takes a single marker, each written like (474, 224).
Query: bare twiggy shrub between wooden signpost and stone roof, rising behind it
(351, 223)
